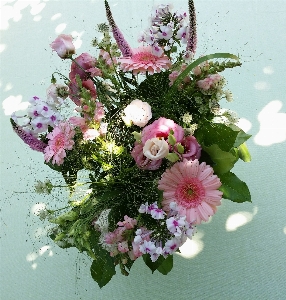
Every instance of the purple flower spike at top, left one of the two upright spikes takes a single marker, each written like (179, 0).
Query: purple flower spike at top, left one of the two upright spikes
(117, 34)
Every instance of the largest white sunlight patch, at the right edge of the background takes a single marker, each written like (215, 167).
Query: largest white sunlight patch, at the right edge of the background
(272, 125)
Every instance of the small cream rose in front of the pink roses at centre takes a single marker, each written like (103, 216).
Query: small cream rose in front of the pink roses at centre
(156, 149)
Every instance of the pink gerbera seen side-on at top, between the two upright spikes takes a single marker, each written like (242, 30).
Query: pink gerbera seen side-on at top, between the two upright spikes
(143, 60)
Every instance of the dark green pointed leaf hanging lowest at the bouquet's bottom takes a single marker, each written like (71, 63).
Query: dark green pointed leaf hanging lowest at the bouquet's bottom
(102, 269)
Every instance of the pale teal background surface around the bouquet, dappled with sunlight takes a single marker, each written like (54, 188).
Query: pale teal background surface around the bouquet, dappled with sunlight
(241, 252)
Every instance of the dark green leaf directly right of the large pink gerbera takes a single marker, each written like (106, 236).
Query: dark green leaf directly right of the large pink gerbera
(233, 188)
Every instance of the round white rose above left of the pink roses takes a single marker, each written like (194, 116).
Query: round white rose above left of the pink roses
(138, 112)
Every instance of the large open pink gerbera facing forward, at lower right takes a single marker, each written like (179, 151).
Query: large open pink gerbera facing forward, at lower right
(194, 188)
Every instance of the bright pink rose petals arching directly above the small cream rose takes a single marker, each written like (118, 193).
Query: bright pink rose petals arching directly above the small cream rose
(161, 128)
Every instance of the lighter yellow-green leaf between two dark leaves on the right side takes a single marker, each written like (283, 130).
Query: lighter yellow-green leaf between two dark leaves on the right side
(224, 161)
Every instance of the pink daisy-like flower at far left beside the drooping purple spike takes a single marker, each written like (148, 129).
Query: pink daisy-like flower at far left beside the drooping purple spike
(60, 139)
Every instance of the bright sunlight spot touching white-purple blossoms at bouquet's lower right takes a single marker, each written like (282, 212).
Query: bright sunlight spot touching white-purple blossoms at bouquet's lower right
(193, 247)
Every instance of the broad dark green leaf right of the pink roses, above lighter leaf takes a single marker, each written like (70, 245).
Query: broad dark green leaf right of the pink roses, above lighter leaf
(220, 134)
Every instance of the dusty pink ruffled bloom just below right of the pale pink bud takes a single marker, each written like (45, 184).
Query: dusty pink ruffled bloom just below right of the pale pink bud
(85, 63)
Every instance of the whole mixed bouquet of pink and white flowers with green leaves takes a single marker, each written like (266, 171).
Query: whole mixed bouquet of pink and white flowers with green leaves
(147, 126)
